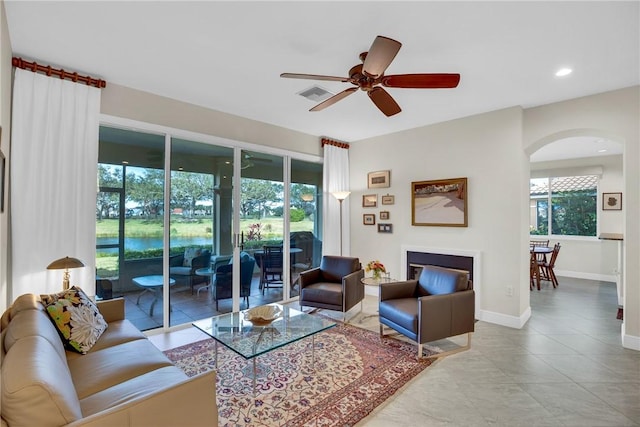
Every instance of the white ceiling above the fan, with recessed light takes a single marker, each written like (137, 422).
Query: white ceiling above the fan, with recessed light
(228, 56)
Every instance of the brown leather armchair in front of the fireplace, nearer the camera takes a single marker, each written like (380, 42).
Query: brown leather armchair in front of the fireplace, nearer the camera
(440, 304)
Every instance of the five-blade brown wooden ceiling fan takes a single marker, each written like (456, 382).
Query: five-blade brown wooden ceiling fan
(369, 77)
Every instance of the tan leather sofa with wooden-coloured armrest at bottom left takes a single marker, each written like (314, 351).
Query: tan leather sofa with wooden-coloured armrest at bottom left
(124, 380)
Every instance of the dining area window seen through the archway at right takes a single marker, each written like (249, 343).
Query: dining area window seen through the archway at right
(565, 206)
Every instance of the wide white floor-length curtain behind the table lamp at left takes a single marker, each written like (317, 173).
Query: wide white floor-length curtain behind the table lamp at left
(54, 157)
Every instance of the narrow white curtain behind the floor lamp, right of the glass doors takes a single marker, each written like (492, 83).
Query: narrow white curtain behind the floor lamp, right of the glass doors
(335, 178)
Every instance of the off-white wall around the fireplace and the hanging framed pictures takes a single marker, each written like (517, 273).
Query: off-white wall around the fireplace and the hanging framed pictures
(487, 150)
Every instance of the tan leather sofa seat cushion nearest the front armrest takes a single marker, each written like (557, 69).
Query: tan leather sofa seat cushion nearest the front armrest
(142, 385)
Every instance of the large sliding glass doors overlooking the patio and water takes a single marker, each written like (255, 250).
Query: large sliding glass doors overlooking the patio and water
(188, 228)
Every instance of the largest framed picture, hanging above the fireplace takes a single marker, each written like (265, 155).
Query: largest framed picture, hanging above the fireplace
(441, 202)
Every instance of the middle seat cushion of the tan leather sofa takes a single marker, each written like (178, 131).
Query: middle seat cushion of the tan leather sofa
(102, 369)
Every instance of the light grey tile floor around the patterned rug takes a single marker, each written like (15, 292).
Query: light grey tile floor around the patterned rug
(565, 367)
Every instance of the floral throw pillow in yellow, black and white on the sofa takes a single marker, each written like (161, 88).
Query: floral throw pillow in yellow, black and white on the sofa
(77, 318)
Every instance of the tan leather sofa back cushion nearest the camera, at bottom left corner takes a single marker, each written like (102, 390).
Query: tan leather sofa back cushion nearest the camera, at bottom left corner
(36, 386)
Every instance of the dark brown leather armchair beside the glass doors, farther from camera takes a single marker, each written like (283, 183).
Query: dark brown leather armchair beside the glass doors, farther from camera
(335, 285)
